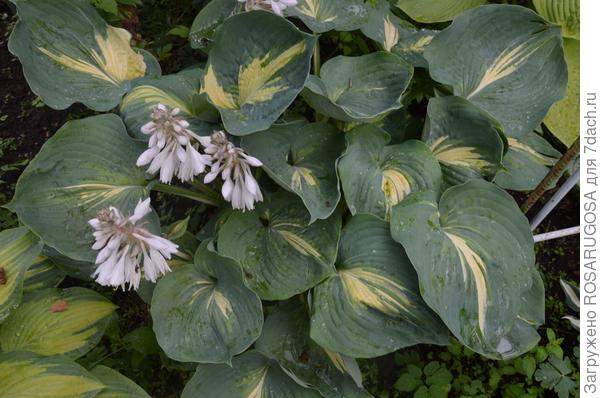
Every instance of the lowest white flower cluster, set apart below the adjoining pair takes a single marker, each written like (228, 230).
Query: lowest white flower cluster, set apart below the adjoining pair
(125, 248)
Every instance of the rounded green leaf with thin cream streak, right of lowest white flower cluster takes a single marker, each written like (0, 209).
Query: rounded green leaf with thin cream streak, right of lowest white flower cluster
(202, 312)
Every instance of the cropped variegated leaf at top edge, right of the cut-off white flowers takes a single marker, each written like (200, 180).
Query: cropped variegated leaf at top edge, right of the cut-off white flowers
(324, 15)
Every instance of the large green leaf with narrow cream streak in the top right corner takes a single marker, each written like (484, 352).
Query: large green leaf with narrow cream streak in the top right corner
(511, 63)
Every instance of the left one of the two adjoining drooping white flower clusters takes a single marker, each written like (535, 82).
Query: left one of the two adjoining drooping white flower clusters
(170, 148)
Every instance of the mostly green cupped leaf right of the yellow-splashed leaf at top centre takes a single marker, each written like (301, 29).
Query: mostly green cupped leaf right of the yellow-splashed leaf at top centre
(359, 88)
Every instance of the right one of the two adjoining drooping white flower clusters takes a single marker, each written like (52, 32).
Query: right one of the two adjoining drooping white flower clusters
(239, 186)
